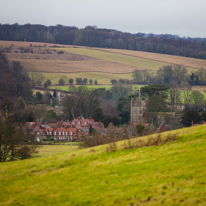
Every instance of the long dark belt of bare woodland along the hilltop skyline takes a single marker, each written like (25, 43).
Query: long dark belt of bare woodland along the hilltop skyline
(105, 38)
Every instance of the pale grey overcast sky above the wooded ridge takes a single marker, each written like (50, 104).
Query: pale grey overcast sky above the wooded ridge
(177, 17)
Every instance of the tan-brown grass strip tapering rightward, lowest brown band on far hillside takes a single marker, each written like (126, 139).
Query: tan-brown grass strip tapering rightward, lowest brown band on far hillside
(68, 66)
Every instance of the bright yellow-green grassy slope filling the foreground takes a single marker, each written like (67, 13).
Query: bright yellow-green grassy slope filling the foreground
(171, 174)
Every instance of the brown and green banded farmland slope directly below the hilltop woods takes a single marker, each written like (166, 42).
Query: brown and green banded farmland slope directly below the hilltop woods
(46, 58)
